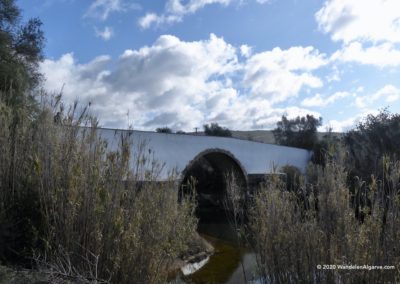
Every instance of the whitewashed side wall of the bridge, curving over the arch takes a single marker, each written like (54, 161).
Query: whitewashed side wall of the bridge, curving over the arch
(177, 150)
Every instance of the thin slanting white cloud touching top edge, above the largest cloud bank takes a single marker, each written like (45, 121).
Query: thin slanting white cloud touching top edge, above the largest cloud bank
(176, 10)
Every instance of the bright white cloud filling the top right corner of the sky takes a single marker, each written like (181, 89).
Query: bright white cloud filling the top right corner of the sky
(367, 20)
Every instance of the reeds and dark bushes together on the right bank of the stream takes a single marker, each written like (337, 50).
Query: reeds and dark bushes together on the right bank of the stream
(306, 228)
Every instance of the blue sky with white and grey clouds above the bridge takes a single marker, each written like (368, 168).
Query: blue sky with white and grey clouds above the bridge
(240, 63)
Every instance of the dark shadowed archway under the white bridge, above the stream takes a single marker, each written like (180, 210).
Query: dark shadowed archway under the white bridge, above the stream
(209, 170)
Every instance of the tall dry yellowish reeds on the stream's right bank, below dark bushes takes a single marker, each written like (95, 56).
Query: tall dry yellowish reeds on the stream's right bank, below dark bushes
(295, 231)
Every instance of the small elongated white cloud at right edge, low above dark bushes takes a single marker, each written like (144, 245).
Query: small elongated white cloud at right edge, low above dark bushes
(388, 94)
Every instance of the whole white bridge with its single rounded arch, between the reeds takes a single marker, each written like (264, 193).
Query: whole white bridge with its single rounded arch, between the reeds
(183, 153)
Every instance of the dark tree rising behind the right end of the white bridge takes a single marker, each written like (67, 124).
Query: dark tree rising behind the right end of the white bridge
(300, 132)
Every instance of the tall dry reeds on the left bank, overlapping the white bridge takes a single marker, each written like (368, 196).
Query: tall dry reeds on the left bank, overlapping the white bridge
(80, 211)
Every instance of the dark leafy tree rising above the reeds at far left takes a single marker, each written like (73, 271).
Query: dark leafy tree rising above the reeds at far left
(21, 48)
